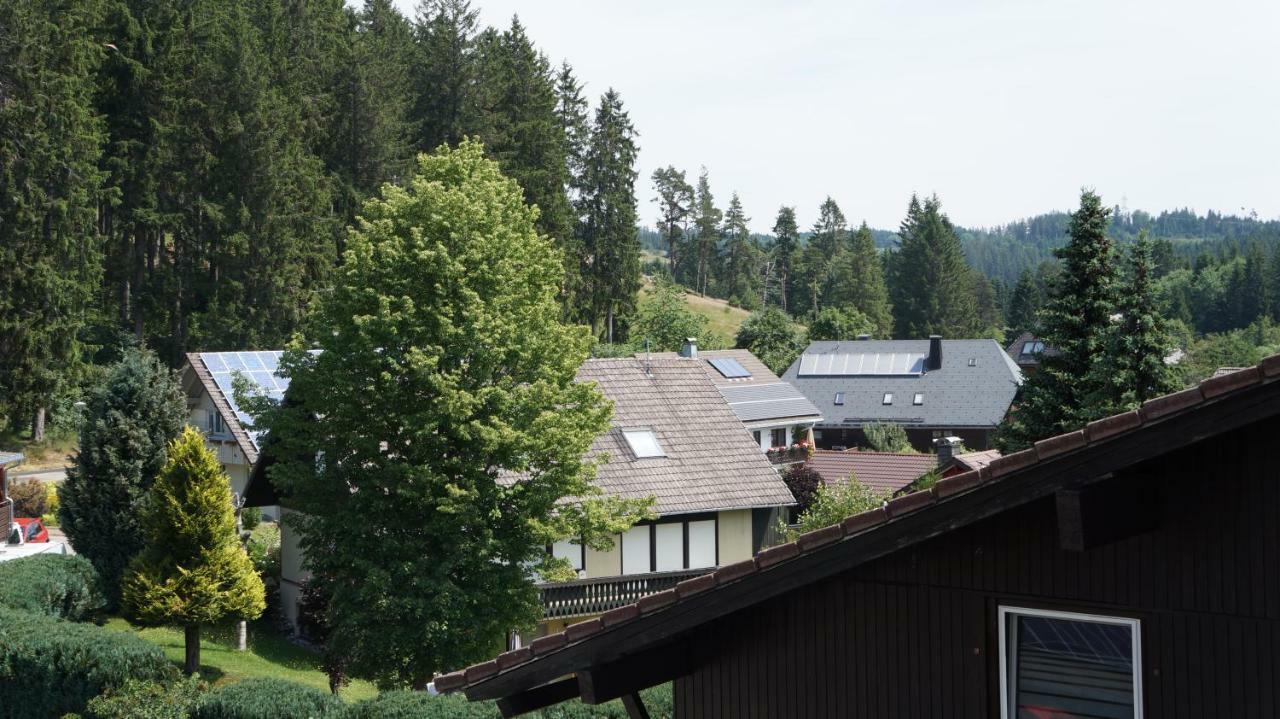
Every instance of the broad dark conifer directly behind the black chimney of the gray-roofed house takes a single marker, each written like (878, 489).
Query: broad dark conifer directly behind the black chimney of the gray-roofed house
(932, 288)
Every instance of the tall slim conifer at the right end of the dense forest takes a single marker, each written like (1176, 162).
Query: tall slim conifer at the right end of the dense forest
(611, 249)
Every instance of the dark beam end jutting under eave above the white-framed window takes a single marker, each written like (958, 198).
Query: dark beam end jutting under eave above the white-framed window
(1108, 512)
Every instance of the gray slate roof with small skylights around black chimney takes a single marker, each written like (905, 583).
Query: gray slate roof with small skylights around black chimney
(956, 396)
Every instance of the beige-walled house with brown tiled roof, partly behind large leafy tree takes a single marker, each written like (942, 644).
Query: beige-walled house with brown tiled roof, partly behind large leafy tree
(675, 438)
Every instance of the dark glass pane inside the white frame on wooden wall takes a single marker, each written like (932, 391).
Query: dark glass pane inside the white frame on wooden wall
(1068, 668)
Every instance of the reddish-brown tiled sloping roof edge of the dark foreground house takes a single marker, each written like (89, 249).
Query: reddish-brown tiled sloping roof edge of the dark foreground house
(999, 475)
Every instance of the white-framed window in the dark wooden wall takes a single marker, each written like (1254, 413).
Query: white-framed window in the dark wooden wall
(1067, 665)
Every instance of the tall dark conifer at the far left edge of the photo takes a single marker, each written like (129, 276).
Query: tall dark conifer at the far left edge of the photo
(51, 144)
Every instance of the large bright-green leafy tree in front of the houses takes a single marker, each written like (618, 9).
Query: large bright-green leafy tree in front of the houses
(451, 427)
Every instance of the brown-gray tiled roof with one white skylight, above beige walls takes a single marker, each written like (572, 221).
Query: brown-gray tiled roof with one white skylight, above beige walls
(711, 461)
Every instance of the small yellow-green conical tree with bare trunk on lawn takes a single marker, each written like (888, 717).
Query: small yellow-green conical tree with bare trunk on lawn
(193, 570)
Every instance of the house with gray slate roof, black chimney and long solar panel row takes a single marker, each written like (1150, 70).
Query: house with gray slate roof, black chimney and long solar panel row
(932, 388)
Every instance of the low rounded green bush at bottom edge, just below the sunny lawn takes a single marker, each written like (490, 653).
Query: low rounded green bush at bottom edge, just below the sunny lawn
(268, 699)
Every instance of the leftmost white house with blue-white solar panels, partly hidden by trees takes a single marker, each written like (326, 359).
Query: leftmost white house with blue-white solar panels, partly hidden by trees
(208, 379)
